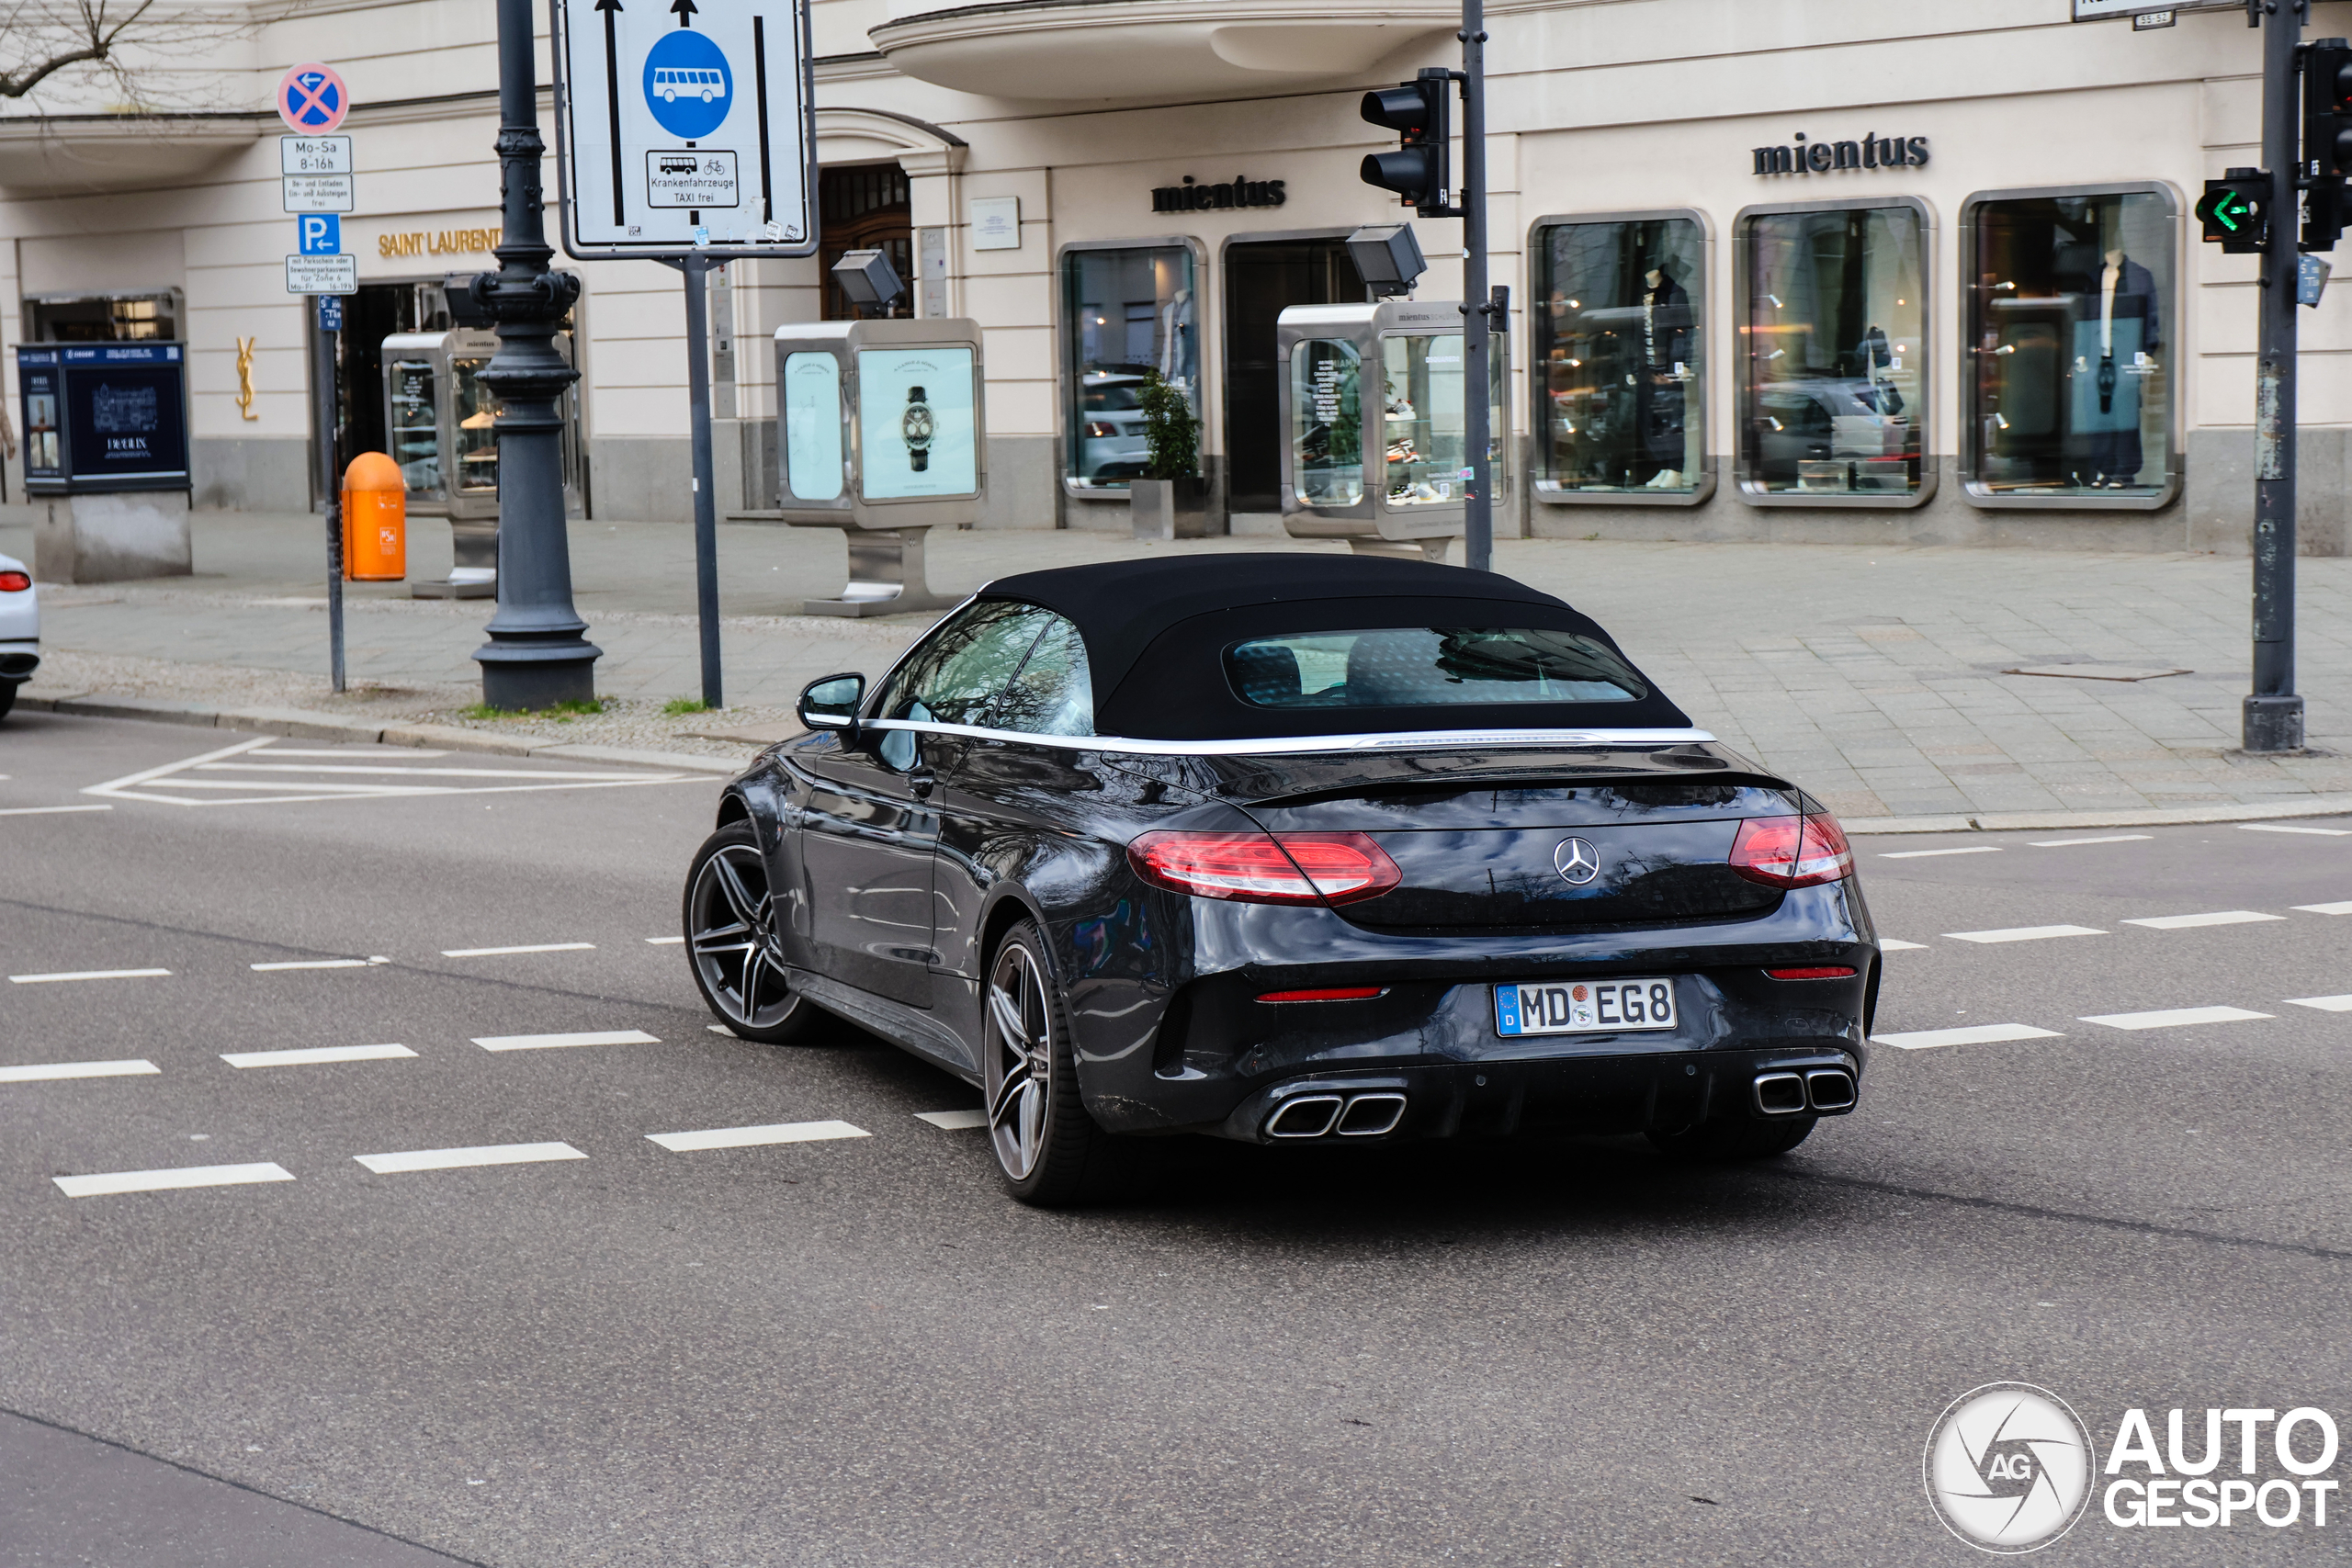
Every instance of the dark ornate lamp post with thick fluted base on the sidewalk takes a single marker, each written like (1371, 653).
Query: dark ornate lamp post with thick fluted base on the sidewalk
(537, 652)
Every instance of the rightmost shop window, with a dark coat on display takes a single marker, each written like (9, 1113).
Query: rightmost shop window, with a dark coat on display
(2071, 300)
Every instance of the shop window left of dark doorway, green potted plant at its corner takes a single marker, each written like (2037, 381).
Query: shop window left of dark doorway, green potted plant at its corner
(1128, 314)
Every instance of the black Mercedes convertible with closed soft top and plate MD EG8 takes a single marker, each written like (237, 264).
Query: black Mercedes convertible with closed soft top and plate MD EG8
(1292, 850)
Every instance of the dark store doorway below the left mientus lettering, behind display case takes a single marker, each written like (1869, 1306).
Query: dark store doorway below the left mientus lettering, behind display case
(1262, 281)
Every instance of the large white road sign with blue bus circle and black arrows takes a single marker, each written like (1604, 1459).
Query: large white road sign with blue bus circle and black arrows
(686, 128)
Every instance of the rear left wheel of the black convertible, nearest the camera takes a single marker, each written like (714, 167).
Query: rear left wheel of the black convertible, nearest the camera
(1048, 1146)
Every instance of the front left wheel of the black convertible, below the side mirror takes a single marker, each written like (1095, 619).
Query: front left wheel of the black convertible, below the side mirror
(735, 946)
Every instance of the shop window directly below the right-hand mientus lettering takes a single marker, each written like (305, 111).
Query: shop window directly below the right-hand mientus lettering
(1833, 319)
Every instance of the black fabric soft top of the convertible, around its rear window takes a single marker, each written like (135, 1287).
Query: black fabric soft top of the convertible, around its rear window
(1156, 634)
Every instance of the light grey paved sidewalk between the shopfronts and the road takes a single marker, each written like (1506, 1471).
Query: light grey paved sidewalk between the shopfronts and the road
(1873, 676)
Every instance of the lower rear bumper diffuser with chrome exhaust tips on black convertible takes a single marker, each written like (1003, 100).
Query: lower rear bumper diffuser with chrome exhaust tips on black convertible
(1603, 1094)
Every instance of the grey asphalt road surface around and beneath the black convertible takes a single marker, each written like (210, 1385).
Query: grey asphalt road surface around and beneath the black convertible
(857, 1351)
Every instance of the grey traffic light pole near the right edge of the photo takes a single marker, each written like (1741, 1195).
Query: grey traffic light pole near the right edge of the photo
(2273, 718)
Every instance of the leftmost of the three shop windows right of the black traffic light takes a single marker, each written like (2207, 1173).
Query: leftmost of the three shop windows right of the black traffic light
(1619, 359)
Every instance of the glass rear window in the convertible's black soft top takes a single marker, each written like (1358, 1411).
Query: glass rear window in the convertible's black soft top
(1429, 666)
